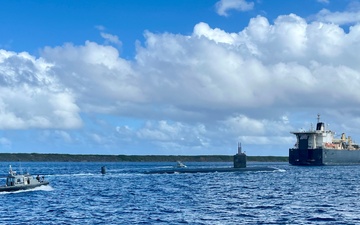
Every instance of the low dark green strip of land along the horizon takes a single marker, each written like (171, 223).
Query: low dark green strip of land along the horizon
(37, 157)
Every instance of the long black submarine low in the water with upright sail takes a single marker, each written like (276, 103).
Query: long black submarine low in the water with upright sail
(239, 165)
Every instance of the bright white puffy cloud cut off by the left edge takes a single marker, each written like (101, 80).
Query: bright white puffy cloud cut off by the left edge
(32, 97)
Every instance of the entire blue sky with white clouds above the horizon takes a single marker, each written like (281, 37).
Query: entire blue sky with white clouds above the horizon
(175, 77)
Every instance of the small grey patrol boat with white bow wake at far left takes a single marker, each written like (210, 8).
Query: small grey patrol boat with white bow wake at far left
(16, 182)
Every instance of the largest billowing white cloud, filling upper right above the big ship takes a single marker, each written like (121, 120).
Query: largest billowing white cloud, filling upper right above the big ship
(260, 66)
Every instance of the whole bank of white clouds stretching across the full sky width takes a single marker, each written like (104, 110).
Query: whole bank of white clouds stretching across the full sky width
(206, 90)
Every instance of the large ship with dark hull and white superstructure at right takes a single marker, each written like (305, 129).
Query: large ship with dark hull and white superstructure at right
(319, 147)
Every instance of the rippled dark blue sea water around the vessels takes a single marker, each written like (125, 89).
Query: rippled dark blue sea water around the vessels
(79, 194)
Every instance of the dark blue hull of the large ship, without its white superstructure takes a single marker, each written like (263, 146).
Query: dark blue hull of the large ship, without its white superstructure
(323, 156)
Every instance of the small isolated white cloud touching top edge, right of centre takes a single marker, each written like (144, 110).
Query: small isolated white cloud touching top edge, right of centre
(223, 6)
